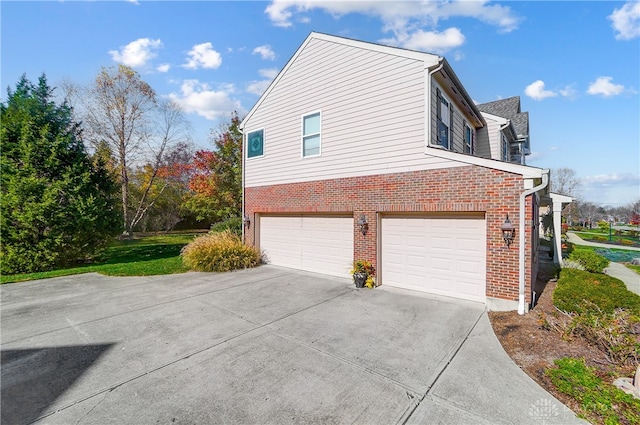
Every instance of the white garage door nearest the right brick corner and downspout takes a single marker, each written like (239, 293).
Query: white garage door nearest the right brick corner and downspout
(445, 256)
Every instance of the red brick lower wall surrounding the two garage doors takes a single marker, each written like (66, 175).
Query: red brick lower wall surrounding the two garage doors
(463, 189)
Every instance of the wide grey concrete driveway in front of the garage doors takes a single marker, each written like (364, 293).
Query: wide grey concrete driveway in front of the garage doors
(261, 346)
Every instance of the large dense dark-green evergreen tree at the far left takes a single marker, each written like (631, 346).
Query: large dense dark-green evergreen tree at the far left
(57, 205)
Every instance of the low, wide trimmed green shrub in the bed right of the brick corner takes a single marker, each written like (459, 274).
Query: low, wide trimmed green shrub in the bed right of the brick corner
(579, 291)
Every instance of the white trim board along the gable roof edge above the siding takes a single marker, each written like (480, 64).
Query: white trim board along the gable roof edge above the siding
(429, 60)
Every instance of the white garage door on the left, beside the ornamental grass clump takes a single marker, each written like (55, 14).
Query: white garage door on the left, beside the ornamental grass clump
(316, 244)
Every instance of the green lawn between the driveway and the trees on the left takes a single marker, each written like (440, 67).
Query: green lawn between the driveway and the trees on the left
(143, 256)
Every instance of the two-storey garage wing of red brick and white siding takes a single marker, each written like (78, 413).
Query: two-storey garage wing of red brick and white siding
(352, 132)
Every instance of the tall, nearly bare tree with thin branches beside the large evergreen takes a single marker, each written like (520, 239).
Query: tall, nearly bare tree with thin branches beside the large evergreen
(123, 112)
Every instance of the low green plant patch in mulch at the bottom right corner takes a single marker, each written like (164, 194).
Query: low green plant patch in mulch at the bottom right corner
(600, 402)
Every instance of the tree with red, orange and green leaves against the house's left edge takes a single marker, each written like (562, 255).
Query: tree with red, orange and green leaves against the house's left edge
(216, 181)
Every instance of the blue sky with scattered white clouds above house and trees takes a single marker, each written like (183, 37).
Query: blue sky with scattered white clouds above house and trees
(575, 64)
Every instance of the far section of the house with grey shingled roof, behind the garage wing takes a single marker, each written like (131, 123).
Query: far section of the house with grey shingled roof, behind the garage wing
(506, 136)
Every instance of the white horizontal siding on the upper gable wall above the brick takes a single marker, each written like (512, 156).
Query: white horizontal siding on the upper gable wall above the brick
(373, 108)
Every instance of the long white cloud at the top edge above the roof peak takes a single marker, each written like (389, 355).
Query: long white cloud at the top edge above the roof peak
(412, 24)
